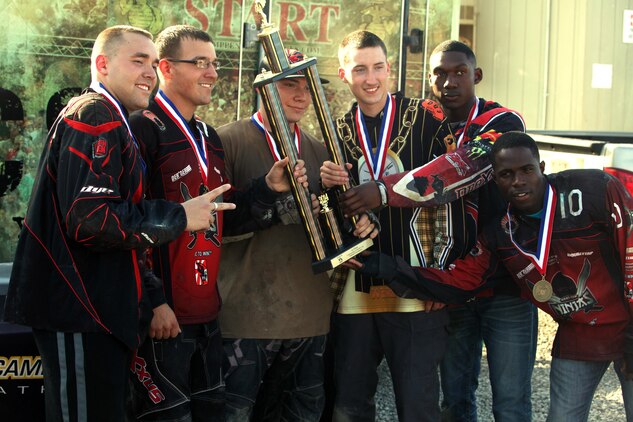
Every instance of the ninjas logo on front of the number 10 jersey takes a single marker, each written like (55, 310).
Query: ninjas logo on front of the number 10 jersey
(571, 296)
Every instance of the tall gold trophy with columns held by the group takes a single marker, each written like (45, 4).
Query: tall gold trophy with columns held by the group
(331, 246)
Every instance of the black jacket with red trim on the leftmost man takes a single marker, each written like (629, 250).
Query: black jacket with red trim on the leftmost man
(76, 267)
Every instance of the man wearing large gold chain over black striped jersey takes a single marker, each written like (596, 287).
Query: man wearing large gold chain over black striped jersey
(384, 134)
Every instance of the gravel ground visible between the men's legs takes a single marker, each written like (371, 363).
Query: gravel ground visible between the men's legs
(607, 404)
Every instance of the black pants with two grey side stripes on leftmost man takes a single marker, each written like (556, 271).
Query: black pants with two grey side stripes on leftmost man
(85, 376)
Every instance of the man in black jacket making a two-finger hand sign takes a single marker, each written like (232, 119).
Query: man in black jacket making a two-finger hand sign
(77, 276)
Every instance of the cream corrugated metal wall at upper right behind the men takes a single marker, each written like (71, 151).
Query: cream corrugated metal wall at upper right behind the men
(550, 82)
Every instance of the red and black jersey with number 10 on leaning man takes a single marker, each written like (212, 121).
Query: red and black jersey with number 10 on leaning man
(589, 265)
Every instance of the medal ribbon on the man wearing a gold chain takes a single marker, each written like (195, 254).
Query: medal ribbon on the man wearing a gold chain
(376, 160)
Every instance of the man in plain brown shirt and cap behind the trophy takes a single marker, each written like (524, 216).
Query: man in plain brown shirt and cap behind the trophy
(275, 313)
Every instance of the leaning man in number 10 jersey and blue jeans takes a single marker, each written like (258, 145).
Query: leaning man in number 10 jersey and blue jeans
(566, 241)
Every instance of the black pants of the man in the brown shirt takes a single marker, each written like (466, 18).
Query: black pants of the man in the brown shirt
(274, 380)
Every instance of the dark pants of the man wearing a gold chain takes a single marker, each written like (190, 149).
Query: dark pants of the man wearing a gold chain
(413, 344)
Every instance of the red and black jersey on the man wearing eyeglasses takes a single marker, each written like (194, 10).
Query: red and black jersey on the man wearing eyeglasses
(185, 159)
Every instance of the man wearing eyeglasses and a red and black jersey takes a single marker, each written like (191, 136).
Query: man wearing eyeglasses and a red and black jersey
(177, 371)
